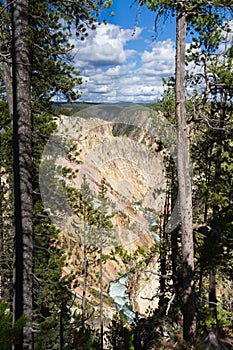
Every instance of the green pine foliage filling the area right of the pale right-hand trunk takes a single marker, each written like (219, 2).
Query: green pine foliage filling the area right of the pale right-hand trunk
(208, 111)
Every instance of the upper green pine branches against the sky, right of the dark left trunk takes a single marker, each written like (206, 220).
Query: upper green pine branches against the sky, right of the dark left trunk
(50, 55)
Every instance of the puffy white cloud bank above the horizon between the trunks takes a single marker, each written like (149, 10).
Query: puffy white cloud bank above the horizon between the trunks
(112, 72)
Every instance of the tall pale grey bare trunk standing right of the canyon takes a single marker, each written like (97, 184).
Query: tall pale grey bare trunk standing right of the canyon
(184, 181)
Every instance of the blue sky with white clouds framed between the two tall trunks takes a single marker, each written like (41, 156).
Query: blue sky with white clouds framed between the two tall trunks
(125, 59)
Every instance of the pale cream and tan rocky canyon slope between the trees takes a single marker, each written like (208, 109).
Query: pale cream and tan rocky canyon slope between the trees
(125, 154)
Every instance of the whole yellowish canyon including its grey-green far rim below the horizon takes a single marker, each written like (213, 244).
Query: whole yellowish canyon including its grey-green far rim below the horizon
(122, 147)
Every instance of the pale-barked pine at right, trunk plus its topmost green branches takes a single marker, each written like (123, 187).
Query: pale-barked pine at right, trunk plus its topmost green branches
(210, 18)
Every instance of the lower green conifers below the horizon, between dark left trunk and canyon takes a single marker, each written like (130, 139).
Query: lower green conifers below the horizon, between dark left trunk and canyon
(51, 290)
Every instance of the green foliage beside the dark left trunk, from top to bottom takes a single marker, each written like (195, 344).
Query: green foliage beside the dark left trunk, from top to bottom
(51, 72)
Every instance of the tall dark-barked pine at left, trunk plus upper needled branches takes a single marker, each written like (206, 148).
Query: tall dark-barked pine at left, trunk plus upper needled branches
(34, 30)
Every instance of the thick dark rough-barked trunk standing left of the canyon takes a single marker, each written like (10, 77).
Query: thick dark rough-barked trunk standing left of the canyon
(22, 152)
